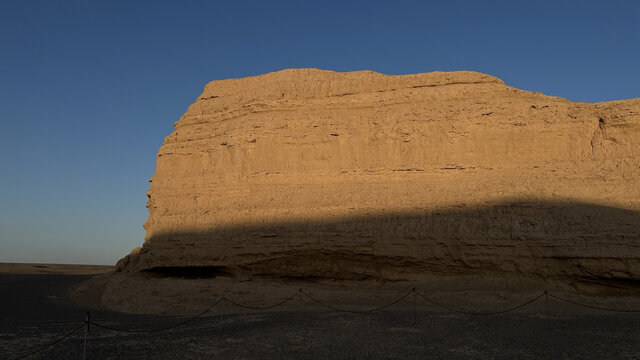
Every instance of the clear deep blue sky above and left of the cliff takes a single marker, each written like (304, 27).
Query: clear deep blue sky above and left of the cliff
(88, 89)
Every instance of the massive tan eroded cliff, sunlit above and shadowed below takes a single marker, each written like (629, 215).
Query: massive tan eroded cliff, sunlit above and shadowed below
(310, 174)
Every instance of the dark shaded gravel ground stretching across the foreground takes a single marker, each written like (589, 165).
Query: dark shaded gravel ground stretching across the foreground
(34, 312)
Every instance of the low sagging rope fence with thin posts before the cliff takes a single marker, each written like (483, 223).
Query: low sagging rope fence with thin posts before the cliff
(88, 322)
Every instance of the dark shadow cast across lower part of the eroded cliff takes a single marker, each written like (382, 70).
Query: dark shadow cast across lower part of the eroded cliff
(539, 238)
